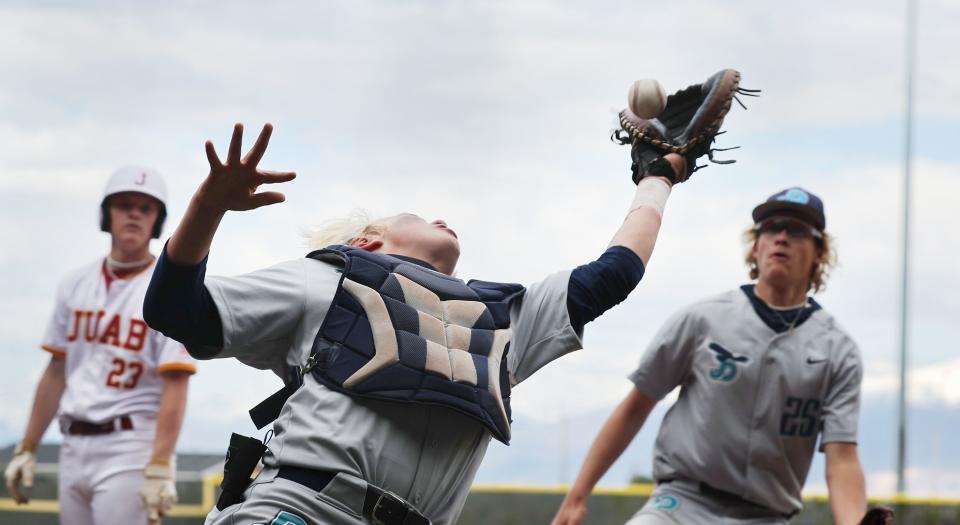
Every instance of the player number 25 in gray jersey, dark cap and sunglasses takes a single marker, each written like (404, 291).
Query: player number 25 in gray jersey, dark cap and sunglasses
(764, 371)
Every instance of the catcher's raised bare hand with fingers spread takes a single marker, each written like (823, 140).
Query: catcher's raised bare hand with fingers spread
(232, 185)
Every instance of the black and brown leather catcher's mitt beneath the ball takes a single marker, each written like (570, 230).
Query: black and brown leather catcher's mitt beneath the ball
(687, 126)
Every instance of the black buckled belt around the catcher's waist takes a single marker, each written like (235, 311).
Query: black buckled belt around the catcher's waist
(380, 506)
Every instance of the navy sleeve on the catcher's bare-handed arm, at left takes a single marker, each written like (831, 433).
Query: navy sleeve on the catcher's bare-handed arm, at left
(178, 305)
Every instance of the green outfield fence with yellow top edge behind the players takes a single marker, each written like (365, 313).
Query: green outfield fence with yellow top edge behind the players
(487, 505)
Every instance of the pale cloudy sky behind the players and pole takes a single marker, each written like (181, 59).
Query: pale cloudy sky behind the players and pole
(494, 116)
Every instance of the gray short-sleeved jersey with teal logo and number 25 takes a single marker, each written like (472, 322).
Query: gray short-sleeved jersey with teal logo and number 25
(752, 402)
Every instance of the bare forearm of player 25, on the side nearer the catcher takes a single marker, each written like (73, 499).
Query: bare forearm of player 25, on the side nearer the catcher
(613, 439)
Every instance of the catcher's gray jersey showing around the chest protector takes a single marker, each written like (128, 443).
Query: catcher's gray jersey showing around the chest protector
(426, 454)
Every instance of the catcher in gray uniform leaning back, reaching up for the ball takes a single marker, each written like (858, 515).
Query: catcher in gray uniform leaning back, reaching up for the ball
(398, 373)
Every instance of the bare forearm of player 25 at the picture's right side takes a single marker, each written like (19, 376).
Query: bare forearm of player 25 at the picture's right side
(845, 483)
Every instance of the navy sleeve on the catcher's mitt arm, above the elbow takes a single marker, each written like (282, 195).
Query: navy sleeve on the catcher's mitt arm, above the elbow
(602, 284)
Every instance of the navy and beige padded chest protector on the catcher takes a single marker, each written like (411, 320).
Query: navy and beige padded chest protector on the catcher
(400, 332)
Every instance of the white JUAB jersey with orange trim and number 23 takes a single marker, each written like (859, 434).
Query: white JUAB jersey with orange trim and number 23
(113, 359)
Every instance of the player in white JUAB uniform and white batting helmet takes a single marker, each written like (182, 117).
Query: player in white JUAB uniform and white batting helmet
(118, 387)
